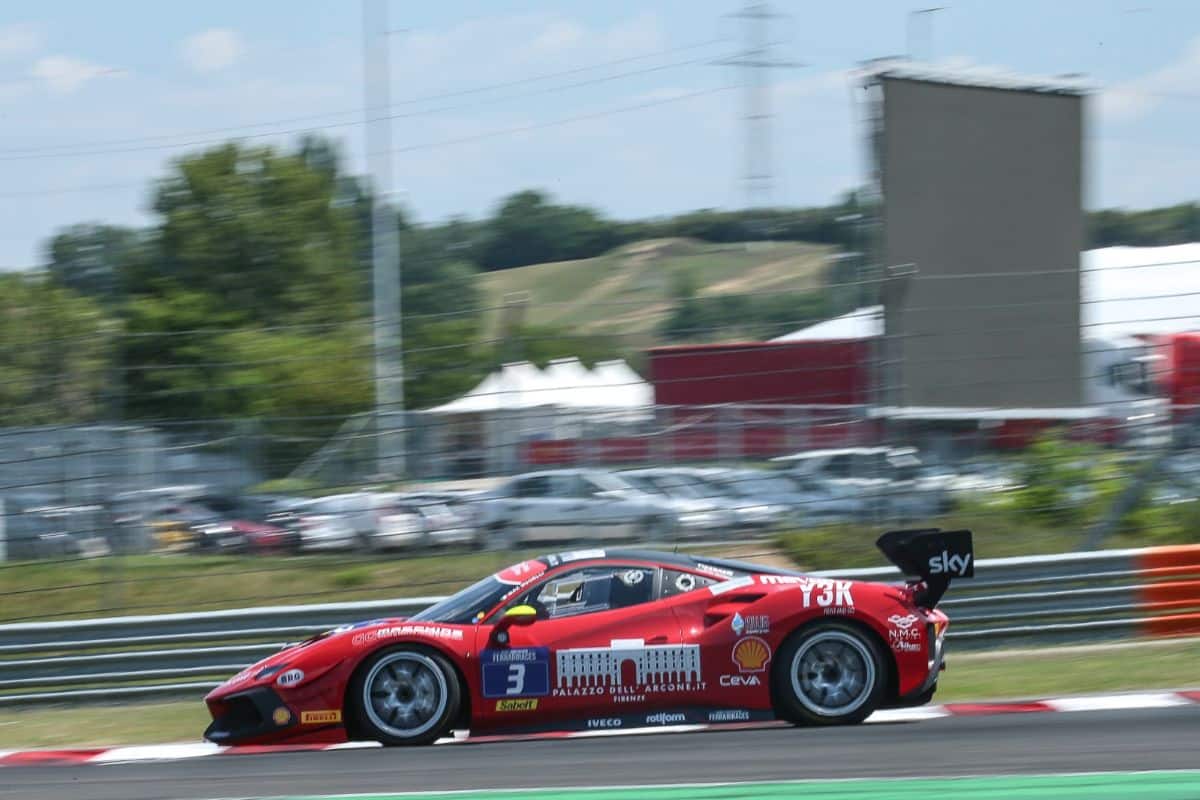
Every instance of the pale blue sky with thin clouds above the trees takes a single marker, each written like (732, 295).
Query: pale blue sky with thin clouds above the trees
(98, 98)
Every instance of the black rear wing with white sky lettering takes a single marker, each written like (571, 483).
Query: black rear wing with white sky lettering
(935, 556)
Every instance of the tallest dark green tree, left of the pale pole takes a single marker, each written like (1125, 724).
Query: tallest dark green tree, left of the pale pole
(261, 232)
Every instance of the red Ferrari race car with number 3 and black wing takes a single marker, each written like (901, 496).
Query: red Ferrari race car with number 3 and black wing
(599, 640)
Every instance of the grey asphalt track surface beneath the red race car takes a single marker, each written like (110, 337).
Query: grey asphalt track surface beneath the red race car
(1015, 744)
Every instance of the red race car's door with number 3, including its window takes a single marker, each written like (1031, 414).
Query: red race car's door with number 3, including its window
(601, 653)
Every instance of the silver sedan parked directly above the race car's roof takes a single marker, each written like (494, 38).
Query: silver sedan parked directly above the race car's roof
(573, 504)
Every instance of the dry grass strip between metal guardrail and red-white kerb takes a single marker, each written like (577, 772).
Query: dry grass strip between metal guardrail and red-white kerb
(977, 677)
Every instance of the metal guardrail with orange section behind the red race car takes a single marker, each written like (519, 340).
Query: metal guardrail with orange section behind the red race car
(1018, 601)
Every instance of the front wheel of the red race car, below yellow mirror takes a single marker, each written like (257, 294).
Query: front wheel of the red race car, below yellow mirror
(404, 696)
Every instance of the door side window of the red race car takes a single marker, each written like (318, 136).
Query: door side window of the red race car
(592, 590)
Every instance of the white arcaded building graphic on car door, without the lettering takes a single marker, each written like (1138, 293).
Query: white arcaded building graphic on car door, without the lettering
(655, 664)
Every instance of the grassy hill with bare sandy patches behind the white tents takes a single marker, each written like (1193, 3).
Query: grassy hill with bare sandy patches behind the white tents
(632, 290)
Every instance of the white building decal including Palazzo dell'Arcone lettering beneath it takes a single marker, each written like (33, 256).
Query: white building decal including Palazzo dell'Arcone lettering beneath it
(628, 671)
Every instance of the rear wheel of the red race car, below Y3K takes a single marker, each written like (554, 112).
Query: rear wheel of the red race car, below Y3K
(830, 673)
